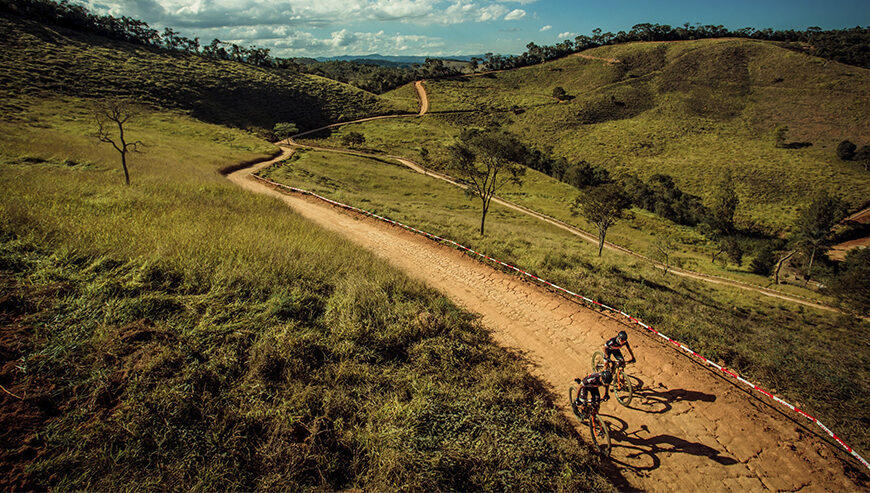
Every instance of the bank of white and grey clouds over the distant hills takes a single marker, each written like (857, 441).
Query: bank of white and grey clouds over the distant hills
(297, 27)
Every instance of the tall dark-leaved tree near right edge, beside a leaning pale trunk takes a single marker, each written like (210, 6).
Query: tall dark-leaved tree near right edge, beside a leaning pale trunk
(811, 233)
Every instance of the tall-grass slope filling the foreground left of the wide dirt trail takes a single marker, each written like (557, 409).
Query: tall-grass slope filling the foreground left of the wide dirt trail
(188, 335)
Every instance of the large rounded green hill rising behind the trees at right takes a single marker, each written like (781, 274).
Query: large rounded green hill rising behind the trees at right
(691, 110)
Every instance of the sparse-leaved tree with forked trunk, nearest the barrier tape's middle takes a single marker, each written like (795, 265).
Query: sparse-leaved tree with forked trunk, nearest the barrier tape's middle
(488, 160)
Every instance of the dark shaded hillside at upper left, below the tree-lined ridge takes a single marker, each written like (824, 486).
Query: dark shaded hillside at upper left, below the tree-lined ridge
(236, 94)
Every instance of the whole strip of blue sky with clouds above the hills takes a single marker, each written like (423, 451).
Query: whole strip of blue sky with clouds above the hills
(454, 27)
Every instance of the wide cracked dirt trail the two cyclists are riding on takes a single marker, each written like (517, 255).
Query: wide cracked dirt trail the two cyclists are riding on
(688, 429)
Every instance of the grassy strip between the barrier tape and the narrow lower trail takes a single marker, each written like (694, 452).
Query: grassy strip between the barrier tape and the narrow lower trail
(787, 349)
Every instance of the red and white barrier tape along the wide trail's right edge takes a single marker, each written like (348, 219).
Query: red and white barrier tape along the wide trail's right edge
(678, 344)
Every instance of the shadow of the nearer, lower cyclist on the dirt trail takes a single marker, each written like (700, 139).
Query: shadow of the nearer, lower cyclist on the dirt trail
(634, 447)
